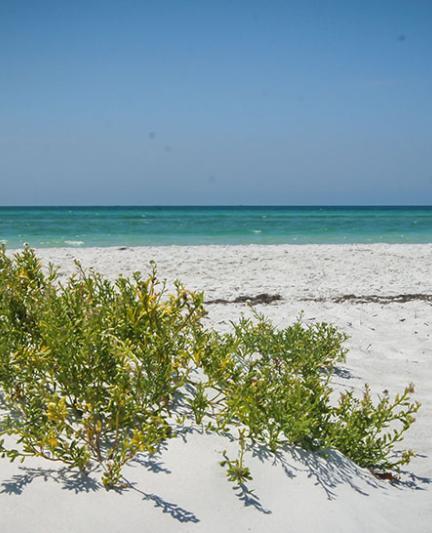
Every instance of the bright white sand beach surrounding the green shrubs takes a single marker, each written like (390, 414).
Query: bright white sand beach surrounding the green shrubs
(184, 489)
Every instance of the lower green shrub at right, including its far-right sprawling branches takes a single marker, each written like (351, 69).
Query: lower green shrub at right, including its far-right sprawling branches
(275, 384)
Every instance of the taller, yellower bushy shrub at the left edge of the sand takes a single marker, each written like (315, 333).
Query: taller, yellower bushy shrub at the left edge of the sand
(89, 370)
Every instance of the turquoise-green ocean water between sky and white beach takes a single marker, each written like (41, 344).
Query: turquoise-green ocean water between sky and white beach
(135, 226)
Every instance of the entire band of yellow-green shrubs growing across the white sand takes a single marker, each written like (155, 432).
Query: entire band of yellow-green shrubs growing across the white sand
(93, 372)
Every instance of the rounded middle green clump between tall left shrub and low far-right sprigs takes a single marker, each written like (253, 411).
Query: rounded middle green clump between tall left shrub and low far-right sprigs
(274, 382)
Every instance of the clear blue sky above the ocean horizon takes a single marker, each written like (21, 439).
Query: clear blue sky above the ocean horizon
(215, 102)
